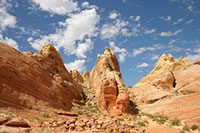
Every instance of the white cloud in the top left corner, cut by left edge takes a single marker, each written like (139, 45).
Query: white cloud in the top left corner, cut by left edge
(6, 19)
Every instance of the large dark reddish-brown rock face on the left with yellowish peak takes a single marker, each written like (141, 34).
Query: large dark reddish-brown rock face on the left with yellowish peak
(35, 80)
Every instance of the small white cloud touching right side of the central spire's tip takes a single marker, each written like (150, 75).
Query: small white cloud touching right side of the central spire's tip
(122, 51)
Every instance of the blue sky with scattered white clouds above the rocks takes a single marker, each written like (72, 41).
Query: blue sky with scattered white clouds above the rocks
(139, 31)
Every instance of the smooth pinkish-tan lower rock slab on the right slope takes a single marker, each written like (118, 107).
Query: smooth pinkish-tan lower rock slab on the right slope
(185, 107)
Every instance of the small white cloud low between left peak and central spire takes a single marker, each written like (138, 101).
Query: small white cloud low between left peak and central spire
(76, 65)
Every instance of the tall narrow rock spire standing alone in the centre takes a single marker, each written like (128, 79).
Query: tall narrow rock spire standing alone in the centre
(106, 80)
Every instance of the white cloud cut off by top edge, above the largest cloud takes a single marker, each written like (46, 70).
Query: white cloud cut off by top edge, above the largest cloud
(61, 7)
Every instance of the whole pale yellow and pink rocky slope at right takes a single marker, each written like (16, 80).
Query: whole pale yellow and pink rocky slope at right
(169, 88)
